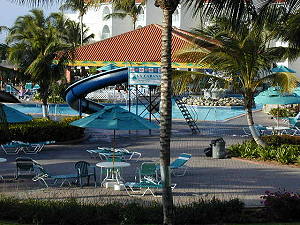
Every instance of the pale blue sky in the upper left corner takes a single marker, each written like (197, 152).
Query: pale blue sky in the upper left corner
(10, 11)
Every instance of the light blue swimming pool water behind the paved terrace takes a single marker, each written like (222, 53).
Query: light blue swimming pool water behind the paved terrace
(200, 112)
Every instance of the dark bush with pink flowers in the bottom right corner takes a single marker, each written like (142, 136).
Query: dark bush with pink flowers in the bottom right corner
(282, 205)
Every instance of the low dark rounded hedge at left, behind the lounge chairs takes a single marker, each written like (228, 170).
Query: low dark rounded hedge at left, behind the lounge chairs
(42, 130)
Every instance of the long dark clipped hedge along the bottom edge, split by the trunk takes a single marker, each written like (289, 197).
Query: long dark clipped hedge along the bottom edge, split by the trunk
(73, 212)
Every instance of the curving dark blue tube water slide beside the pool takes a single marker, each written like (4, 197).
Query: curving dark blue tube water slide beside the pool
(75, 93)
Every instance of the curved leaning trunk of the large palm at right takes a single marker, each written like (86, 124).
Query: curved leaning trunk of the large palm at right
(248, 103)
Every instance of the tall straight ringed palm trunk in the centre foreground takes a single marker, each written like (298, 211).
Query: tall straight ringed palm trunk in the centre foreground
(166, 116)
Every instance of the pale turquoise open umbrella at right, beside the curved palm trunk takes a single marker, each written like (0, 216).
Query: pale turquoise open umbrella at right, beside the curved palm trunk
(273, 96)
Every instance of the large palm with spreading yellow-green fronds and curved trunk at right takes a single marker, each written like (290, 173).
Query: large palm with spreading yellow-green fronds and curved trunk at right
(245, 54)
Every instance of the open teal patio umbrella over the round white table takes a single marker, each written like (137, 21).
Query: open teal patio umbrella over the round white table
(115, 118)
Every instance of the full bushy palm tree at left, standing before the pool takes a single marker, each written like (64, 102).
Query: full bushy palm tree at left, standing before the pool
(35, 43)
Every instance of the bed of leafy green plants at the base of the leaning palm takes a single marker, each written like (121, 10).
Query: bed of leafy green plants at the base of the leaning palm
(284, 149)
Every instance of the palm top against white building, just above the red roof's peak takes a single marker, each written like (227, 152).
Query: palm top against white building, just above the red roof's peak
(125, 8)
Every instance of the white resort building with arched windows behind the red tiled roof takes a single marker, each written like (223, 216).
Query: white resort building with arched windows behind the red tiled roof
(182, 19)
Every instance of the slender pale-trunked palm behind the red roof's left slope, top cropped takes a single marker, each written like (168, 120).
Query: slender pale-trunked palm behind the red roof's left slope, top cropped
(82, 7)
